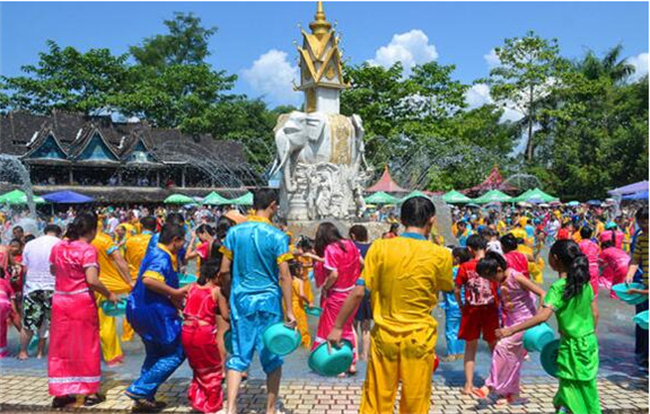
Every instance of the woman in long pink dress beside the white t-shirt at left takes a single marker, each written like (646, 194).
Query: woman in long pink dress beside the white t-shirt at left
(74, 357)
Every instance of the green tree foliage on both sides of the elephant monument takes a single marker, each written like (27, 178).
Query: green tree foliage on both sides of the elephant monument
(587, 123)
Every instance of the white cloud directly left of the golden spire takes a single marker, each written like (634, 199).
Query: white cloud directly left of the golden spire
(272, 75)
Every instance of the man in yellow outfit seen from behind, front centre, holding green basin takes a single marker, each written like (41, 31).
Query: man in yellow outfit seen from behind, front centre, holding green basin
(404, 276)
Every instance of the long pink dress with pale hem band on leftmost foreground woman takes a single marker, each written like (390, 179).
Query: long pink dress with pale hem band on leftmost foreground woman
(74, 356)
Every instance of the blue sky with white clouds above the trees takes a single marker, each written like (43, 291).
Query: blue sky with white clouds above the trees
(255, 38)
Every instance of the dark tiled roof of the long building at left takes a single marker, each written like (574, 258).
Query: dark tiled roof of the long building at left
(21, 131)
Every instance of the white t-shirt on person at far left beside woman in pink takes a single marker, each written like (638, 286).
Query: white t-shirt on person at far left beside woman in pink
(36, 258)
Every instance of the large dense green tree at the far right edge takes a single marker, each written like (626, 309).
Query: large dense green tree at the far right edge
(595, 134)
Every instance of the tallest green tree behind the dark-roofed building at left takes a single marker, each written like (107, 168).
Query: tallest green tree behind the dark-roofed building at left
(171, 85)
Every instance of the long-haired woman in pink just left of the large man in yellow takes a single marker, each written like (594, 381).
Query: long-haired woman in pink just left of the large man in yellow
(341, 269)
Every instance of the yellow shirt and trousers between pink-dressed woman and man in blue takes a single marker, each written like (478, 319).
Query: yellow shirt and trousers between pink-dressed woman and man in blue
(114, 274)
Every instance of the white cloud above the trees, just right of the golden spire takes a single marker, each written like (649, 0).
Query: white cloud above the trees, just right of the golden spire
(410, 48)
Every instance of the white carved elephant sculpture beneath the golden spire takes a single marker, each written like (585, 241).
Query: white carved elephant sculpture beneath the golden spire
(309, 144)
